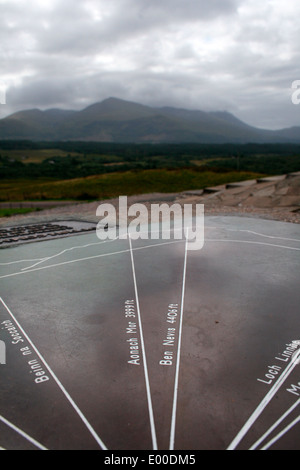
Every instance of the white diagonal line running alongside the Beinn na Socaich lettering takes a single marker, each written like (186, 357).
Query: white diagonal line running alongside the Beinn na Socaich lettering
(62, 388)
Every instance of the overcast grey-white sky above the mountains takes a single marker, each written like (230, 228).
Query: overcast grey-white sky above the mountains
(236, 55)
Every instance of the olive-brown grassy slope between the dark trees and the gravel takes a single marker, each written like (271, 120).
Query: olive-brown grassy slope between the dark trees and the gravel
(116, 184)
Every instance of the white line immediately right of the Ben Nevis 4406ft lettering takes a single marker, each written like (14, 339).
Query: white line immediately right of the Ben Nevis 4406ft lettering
(175, 395)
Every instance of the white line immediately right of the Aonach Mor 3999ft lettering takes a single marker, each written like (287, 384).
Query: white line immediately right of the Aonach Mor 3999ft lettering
(150, 407)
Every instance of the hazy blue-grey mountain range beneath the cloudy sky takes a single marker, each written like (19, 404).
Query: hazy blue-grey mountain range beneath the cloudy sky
(116, 120)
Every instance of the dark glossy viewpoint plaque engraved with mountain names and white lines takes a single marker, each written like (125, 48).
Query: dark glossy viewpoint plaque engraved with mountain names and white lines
(144, 344)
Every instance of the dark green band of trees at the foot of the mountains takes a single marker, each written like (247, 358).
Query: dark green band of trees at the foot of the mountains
(97, 158)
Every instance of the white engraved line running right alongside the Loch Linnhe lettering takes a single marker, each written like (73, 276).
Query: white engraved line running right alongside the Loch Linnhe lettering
(265, 402)
